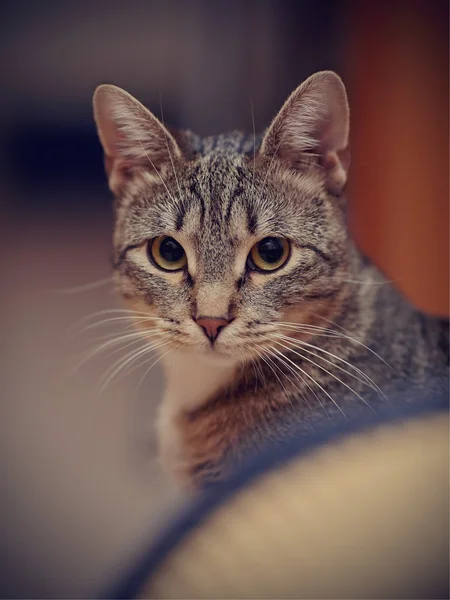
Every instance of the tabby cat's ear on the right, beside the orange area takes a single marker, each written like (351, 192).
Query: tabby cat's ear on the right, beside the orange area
(314, 120)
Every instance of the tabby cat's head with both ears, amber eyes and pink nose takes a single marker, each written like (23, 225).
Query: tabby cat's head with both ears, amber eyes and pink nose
(219, 240)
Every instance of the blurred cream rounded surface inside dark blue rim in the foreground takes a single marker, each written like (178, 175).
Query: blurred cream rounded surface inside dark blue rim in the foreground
(364, 517)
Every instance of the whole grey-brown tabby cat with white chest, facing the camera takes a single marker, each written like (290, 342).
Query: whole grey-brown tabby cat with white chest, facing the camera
(233, 253)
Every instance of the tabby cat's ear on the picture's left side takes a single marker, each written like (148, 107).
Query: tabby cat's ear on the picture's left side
(131, 136)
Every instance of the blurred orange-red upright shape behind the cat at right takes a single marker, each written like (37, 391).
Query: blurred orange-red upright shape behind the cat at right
(399, 188)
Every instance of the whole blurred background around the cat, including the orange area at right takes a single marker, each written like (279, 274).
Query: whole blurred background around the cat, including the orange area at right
(81, 487)
